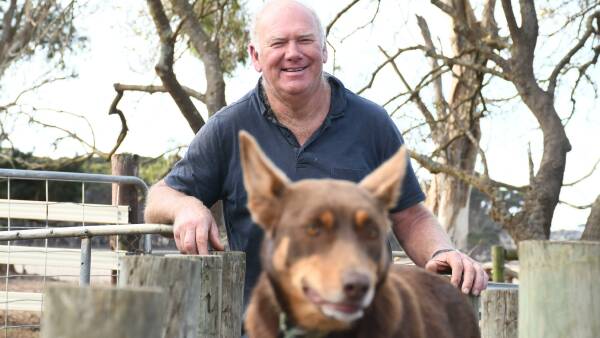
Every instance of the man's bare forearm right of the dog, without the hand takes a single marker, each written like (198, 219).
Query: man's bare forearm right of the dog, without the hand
(419, 233)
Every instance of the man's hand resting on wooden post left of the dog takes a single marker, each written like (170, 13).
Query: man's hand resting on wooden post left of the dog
(193, 228)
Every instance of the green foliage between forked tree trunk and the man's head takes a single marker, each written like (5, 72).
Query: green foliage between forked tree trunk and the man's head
(226, 23)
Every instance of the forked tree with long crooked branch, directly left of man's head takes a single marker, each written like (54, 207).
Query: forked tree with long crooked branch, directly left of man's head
(216, 33)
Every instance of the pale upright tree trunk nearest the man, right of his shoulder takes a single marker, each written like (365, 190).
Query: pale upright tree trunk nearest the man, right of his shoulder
(458, 138)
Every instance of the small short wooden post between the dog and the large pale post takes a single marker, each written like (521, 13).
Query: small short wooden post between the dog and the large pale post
(499, 313)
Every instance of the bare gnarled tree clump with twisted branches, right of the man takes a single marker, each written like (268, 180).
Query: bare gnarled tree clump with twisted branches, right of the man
(481, 56)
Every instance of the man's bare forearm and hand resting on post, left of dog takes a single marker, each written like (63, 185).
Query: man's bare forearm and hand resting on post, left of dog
(193, 224)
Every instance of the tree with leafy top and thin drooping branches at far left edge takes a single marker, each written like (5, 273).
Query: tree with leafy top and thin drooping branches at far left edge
(32, 29)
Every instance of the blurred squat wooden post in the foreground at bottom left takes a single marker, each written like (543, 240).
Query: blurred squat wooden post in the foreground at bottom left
(90, 312)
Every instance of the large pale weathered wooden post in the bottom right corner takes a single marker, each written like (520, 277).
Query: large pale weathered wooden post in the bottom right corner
(559, 292)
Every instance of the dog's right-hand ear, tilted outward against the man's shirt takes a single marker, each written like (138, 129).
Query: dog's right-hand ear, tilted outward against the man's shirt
(384, 183)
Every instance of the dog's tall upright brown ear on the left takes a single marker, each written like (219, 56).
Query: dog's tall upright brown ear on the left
(264, 182)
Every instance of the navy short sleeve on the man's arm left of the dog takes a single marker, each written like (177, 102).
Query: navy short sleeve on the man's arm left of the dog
(200, 172)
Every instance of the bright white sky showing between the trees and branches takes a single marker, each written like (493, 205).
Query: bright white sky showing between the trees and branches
(122, 48)
